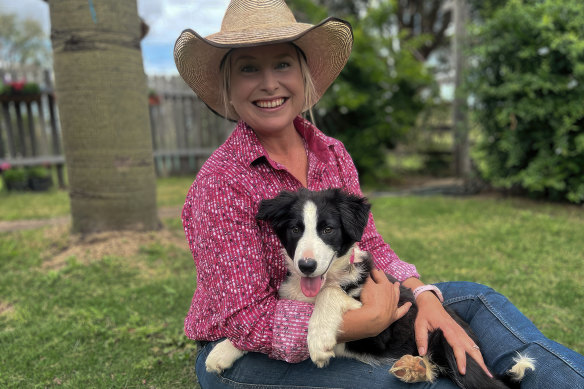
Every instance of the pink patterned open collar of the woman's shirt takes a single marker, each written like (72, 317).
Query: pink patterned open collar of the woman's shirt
(252, 150)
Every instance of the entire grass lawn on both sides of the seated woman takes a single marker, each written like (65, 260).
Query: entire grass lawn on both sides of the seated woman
(108, 311)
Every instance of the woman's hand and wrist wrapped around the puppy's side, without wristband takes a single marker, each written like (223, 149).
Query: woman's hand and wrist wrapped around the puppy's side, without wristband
(379, 298)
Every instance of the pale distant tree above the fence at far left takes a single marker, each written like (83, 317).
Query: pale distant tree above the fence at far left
(22, 43)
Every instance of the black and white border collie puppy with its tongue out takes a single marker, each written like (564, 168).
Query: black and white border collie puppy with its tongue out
(319, 232)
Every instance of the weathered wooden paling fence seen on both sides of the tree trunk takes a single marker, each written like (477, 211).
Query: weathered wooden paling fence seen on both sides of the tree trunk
(184, 131)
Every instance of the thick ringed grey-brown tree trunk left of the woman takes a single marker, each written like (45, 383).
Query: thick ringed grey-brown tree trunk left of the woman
(102, 96)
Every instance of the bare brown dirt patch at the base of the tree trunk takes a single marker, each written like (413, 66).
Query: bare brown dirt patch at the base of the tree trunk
(94, 247)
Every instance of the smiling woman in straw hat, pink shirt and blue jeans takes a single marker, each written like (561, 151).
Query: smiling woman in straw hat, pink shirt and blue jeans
(264, 69)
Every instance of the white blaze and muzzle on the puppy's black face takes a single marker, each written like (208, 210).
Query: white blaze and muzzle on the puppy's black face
(311, 244)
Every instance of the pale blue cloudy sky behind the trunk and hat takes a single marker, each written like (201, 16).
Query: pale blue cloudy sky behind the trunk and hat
(166, 18)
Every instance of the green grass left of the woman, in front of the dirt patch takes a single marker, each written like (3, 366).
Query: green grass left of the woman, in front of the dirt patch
(111, 322)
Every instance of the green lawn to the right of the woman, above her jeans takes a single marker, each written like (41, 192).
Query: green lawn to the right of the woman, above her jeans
(530, 252)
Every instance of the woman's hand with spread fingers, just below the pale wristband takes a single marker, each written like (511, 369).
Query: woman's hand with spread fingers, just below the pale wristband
(431, 316)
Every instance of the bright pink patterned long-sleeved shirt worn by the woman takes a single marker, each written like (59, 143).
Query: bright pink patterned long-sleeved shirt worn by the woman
(238, 259)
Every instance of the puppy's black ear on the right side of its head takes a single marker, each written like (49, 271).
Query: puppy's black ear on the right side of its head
(354, 214)
